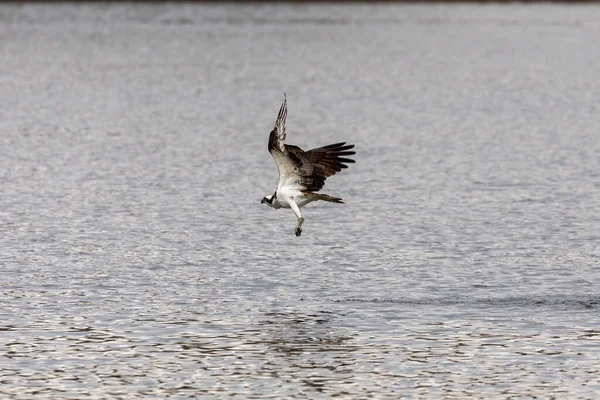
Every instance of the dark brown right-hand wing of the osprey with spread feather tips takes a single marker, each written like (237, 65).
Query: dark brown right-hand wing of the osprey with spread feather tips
(314, 166)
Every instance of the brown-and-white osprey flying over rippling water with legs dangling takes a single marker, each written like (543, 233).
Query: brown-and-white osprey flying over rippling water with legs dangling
(302, 173)
